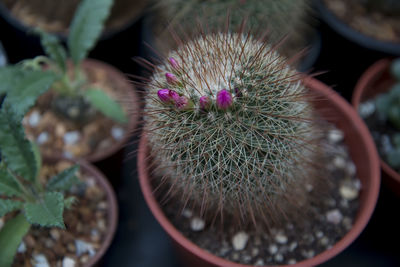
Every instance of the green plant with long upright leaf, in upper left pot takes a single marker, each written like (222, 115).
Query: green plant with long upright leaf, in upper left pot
(61, 69)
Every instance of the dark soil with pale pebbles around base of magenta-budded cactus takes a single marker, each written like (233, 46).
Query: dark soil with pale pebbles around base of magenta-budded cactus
(331, 218)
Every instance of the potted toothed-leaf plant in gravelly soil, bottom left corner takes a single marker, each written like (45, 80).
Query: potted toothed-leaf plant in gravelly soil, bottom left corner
(36, 195)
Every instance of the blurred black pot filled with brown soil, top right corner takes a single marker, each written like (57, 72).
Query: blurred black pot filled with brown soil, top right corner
(371, 24)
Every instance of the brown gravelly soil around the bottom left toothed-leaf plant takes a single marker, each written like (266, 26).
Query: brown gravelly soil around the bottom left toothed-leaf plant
(86, 227)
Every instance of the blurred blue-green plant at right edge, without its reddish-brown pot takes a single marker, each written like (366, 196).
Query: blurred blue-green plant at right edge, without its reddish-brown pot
(388, 109)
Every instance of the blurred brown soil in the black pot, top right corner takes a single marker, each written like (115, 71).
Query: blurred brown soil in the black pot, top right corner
(372, 23)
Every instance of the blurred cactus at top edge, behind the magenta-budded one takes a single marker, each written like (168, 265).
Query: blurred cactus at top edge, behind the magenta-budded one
(279, 17)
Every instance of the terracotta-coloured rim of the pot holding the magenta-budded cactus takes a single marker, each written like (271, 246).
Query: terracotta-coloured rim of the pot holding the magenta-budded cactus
(362, 217)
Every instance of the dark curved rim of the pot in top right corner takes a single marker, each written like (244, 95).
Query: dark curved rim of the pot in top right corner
(355, 36)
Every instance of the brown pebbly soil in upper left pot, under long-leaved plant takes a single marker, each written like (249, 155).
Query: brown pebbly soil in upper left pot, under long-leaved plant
(56, 134)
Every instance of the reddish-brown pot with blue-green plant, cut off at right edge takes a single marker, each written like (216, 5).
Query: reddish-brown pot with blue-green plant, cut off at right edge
(376, 97)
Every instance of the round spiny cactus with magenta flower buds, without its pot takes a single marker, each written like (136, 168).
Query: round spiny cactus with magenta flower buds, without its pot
(232, 131)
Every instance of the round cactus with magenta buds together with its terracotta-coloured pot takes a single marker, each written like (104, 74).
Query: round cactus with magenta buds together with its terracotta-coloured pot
(241, 157)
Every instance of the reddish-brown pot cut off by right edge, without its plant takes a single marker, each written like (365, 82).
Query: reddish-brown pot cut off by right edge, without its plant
(377, 79)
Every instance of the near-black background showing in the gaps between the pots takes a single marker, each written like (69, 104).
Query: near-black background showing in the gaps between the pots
(139, 240)
